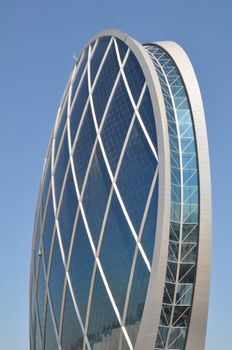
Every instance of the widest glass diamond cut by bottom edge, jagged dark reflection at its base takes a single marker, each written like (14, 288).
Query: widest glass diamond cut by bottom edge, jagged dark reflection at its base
(104, 329)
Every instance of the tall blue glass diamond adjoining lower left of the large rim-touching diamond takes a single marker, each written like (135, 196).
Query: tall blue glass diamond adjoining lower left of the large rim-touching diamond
(117, 262)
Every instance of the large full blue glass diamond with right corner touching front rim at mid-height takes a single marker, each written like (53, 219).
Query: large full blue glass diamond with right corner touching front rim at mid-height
(136, 174)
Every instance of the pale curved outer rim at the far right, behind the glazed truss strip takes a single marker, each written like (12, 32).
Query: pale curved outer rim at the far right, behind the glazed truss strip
(198, 321)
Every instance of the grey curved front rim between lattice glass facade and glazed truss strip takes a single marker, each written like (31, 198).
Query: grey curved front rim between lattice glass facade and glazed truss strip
(153, 303)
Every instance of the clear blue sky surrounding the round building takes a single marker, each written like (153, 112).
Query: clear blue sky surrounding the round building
(37, 42)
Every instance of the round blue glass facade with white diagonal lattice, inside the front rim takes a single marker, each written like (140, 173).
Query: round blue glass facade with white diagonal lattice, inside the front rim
(100, 187)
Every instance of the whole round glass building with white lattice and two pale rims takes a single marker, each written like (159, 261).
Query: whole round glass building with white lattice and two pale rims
(121, 247)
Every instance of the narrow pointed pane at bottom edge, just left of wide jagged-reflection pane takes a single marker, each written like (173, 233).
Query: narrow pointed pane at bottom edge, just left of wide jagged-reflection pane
(72, 336)
